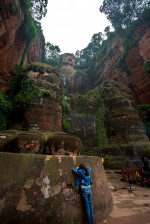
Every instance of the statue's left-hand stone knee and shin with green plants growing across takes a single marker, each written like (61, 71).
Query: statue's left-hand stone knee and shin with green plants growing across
(45, 112)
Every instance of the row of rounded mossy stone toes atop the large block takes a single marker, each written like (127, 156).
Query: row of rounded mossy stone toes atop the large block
(37, 142)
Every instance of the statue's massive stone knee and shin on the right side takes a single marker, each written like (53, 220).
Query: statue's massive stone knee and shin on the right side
(122, 121)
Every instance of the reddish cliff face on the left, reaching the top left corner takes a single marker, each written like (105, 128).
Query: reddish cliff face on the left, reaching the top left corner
(12, 42)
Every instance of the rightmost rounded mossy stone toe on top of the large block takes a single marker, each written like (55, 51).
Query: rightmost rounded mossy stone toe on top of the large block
(63, 144)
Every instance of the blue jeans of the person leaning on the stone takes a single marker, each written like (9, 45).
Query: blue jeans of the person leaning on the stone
(87, 201)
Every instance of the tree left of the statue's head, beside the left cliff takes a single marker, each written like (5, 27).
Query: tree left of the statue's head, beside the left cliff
(52, 54)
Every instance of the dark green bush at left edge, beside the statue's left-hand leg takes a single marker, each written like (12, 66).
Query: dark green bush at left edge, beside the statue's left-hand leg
(5, 108)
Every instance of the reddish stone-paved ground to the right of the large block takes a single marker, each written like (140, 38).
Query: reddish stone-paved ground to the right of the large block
(128, 207)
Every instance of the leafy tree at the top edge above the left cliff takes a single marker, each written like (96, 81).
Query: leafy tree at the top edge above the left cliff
(38, 8)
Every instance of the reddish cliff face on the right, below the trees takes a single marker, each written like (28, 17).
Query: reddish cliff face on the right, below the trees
(130, 71)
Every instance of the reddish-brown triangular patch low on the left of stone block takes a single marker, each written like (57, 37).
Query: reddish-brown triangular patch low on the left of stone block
(23, 205)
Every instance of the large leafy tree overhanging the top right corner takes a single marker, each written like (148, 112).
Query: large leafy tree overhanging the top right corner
(121, 13)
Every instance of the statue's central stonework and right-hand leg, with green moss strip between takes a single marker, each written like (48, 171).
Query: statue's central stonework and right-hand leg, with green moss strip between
(107, 116)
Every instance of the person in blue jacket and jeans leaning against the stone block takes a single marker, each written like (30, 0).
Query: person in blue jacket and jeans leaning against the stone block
(83, 182)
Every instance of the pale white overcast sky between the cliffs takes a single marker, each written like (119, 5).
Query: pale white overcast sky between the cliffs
(70, 24)
